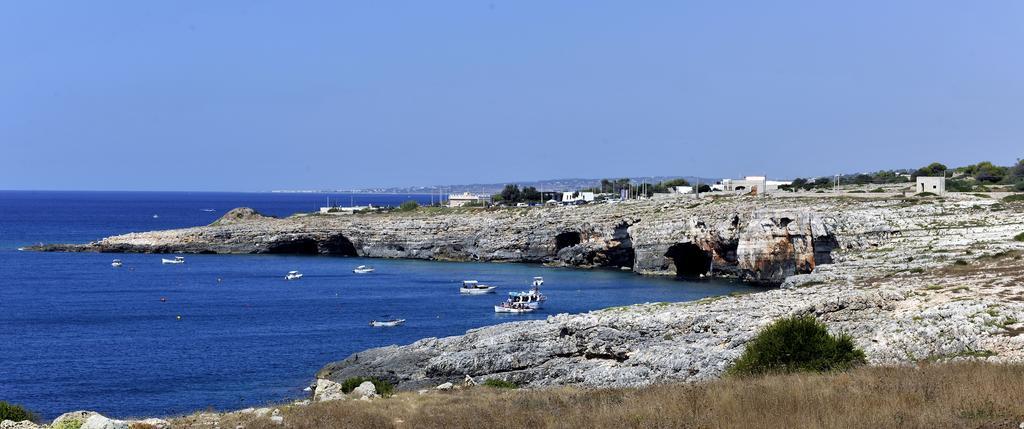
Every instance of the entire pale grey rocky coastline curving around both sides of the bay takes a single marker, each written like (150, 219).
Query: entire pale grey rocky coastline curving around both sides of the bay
(912, 280)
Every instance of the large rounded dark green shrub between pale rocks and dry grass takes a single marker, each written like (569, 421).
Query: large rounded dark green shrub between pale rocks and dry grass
(795, 345)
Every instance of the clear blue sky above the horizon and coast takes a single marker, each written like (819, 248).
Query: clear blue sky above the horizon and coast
(259, 96)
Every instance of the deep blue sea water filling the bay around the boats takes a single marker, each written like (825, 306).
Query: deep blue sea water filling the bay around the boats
(78, 334)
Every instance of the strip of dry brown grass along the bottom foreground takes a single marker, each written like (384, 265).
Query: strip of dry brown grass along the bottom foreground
(968, 395)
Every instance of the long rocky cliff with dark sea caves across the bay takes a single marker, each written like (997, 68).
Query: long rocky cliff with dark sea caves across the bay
(758, 240)
